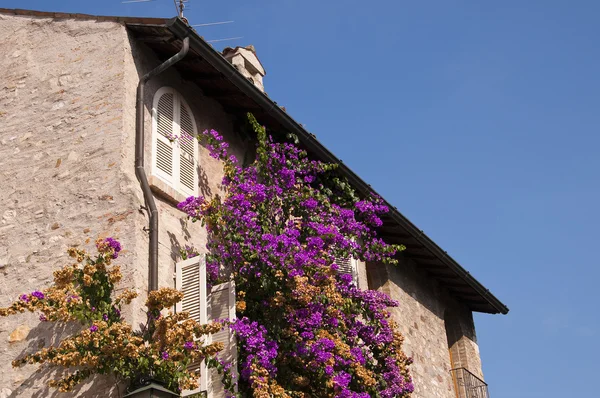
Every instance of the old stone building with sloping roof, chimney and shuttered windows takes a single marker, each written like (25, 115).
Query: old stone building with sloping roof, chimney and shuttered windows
(68, 150)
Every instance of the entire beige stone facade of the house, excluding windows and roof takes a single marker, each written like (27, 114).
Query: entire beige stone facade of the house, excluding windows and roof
(67, 131)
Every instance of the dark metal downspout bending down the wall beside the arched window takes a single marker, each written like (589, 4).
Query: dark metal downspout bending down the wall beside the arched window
(140, 173)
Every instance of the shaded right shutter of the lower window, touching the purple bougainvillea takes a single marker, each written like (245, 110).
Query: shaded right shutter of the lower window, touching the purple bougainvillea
(221, 305)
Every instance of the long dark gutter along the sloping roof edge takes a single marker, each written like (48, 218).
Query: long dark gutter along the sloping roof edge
(205, 50)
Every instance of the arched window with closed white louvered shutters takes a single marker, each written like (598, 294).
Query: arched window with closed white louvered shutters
(174, 146)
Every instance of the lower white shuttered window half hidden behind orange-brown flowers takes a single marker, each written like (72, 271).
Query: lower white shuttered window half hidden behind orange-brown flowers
(206, 305)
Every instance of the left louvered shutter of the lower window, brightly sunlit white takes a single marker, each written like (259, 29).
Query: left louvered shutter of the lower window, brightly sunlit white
(190, 278)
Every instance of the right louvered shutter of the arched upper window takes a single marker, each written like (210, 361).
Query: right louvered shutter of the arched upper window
(188, 150)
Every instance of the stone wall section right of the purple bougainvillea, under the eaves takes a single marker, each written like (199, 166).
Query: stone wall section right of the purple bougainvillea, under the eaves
(421, 318)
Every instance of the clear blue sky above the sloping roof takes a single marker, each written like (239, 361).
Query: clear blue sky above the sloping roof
(480, 121)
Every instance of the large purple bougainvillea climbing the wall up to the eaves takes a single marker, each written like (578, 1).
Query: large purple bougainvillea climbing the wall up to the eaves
(303, 329)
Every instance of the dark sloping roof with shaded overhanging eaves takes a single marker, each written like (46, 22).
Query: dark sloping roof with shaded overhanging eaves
(218, 79)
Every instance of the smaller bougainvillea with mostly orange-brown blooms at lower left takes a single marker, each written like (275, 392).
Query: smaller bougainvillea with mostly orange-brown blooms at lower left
(106, 344)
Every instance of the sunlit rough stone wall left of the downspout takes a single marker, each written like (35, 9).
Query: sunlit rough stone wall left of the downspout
(61, 136)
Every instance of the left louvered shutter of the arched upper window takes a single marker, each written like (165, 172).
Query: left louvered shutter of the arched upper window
(164, 125)
